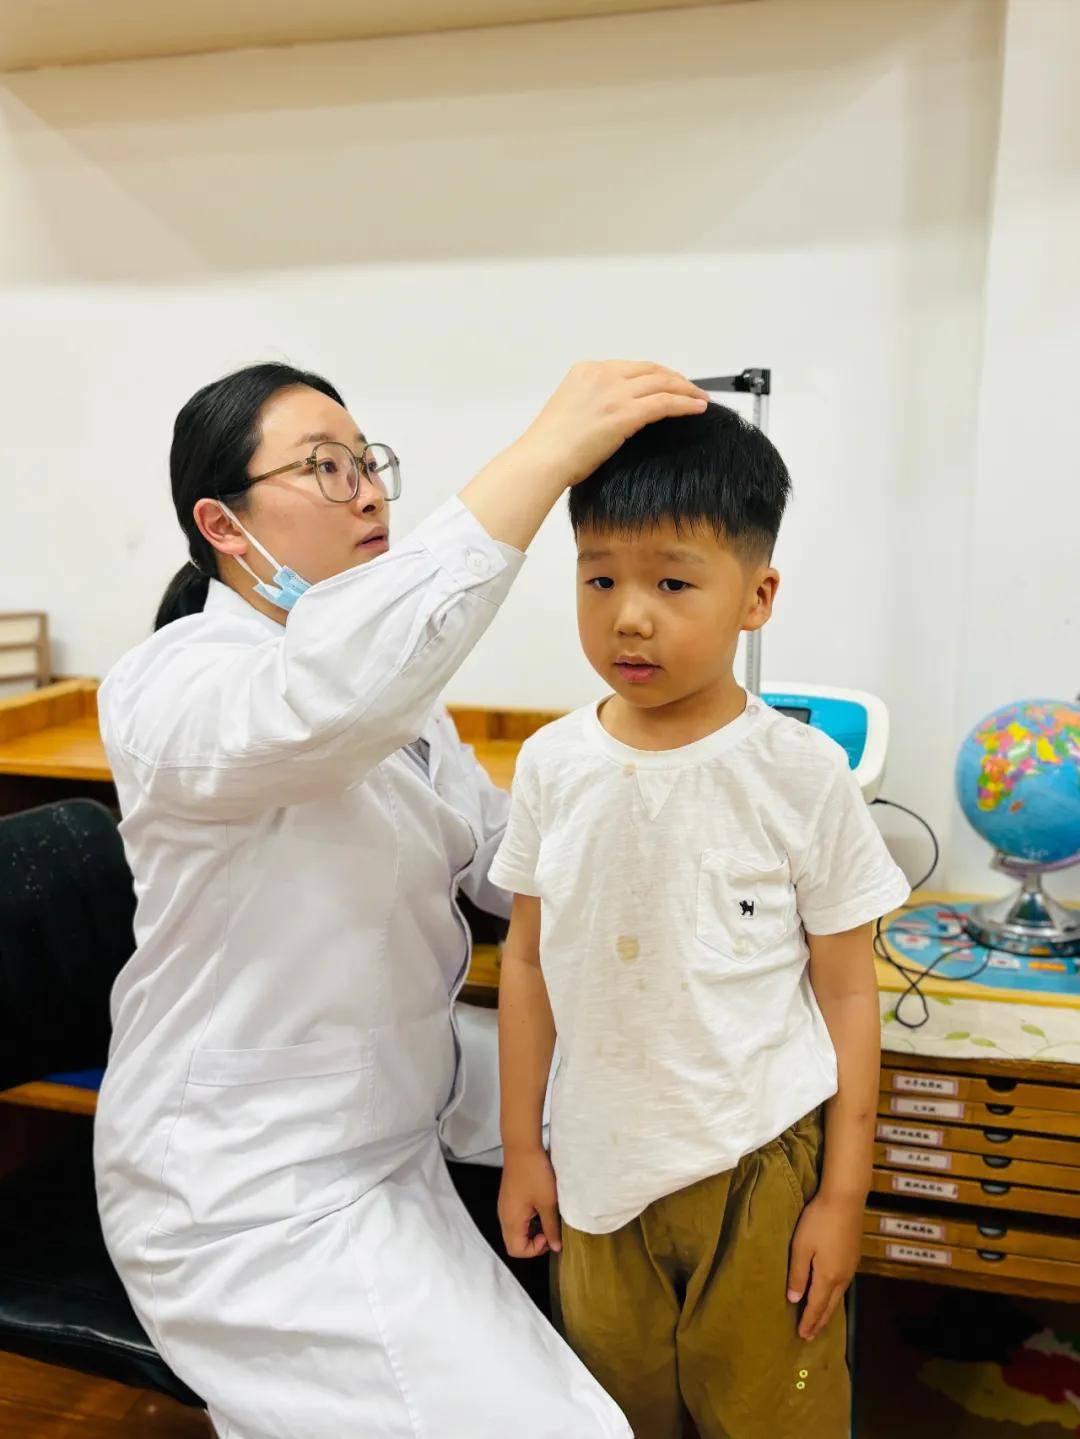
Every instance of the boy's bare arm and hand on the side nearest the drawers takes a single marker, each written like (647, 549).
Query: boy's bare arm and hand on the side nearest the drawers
(825, 1253)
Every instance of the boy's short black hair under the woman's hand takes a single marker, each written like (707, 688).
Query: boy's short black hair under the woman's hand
(713, 468)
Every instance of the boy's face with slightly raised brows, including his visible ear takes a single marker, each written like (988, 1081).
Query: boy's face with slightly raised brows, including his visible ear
(661, 612)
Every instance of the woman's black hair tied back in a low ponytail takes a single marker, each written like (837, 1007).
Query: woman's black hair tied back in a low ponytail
(214, 441)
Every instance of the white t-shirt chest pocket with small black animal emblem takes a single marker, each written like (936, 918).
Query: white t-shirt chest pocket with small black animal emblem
(744, 906)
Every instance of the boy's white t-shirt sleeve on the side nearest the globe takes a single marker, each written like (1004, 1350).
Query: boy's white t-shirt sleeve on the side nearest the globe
(846, 877)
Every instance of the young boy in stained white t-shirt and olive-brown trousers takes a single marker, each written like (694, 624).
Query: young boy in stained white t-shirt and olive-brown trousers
(695, 880)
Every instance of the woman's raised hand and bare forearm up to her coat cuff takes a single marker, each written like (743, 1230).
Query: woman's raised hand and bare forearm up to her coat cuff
(596, 408)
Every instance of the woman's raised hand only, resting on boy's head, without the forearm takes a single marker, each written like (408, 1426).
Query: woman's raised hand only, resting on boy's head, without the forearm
(600, 405)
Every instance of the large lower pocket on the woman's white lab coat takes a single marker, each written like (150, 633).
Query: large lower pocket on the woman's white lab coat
(264, 1135)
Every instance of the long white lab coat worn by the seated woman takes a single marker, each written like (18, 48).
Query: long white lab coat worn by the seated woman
(284, 1063)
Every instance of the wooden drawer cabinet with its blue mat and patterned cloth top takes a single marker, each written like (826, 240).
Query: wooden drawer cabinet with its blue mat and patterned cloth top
(977, 1163)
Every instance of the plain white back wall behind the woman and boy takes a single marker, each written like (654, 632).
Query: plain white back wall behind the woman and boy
(444, 224)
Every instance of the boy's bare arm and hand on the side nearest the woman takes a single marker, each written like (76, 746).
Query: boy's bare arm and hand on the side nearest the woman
(527, 1041)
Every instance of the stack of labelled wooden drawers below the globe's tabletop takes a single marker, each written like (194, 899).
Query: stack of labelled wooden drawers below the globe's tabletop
(977, 1175)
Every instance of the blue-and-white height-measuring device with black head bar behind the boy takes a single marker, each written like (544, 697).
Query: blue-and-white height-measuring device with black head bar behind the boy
(856, 720)
